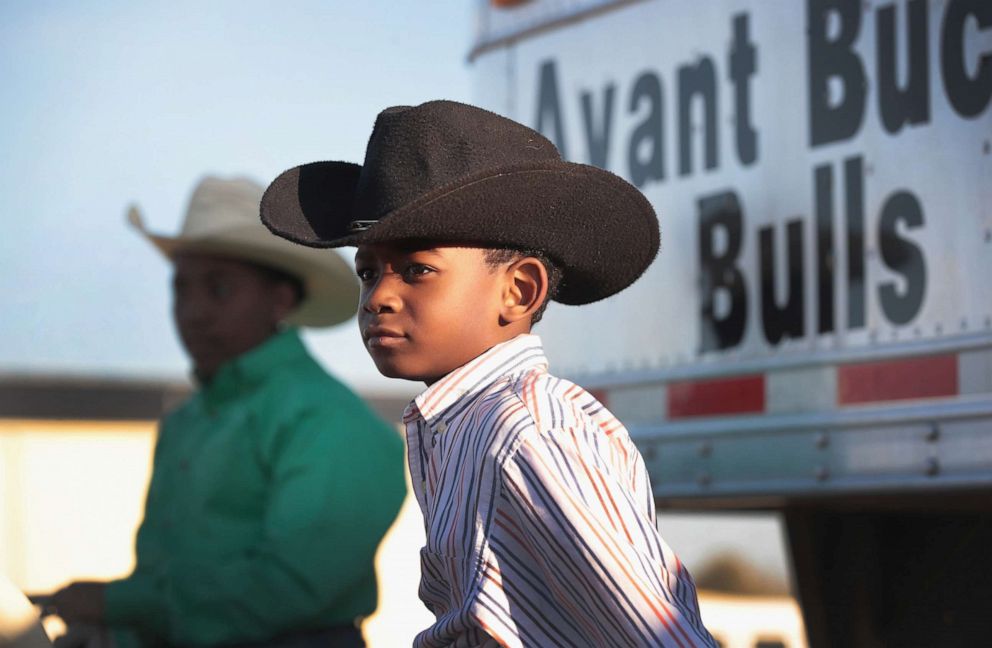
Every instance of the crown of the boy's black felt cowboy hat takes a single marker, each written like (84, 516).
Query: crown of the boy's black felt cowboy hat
(415, 151)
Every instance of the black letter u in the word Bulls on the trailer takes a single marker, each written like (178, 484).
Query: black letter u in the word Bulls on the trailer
(782, 321)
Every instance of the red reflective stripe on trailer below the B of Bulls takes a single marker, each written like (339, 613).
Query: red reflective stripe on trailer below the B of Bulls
(739, 395)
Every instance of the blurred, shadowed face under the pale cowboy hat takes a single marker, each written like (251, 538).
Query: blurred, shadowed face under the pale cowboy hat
(223, 308)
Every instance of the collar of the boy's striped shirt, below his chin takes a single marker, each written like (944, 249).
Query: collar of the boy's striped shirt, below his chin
(520, 354)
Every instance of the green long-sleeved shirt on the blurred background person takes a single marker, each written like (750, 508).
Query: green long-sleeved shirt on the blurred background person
(272, 487)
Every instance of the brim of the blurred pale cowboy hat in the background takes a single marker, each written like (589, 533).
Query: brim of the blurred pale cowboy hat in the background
(331, 288)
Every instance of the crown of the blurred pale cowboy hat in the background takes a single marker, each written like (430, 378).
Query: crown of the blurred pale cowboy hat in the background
(220, 205)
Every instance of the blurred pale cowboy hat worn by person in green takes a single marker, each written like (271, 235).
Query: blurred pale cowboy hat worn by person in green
(222, 218)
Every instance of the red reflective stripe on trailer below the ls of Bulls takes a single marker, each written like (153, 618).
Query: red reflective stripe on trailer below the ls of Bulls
(924, 377)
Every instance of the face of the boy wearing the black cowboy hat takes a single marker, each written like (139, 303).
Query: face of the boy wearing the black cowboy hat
(424, 312)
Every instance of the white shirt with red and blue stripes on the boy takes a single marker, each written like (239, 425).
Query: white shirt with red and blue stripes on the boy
(539, 515)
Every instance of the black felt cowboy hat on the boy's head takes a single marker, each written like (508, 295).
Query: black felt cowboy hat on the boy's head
(449, 172)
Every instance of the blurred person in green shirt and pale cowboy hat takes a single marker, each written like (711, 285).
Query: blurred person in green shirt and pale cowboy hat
(273, 484)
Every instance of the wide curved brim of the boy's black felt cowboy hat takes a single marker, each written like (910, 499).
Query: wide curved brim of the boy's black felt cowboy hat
(600, 229)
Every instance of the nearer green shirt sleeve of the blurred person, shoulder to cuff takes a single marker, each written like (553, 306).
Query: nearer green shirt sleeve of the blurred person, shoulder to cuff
(330, 501)
